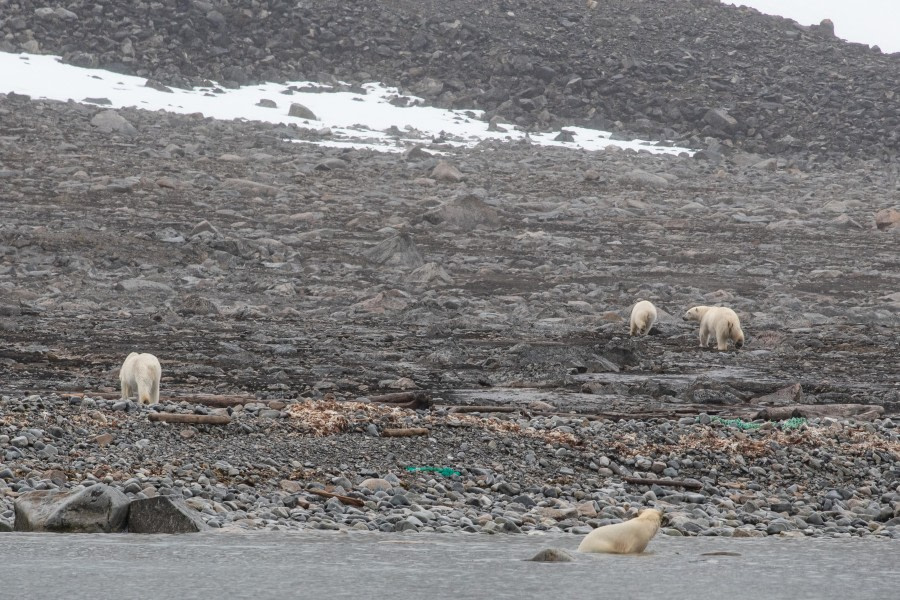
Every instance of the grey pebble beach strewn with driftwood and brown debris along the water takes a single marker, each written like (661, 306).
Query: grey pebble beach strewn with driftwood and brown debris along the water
(824, 477)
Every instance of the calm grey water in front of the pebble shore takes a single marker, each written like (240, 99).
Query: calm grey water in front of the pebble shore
(326, 565)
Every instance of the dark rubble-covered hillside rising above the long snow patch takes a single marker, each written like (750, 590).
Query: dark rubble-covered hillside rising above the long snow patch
(696, 71)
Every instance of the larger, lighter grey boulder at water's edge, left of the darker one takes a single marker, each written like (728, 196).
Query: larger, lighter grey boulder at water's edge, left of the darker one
(95, 509)
